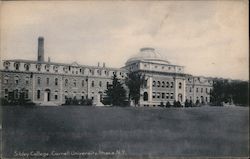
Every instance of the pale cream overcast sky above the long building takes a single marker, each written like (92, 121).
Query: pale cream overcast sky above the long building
(209, 38)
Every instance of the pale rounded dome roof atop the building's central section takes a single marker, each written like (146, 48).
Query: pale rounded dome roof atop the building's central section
(148, 54)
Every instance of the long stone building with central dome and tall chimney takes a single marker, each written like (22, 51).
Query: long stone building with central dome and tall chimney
(50, 83)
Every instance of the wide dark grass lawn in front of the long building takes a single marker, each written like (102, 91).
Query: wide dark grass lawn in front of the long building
(139, 132)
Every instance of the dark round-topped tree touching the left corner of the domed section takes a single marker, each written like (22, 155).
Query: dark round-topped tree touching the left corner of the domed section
(135, 81)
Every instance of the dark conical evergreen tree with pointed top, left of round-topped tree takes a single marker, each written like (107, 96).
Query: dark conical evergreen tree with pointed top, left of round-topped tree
(115, 93)
